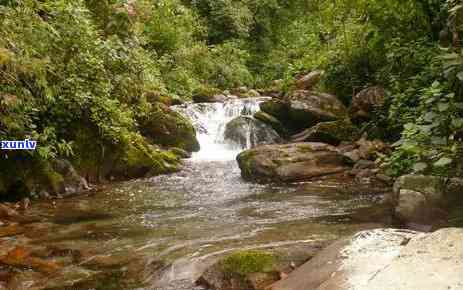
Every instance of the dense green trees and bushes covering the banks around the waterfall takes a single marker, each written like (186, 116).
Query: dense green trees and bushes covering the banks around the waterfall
(81, 76)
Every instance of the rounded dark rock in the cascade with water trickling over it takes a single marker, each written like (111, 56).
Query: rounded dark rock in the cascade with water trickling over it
(248, 132)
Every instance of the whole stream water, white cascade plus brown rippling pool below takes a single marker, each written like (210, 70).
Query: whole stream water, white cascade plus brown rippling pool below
(180, 223)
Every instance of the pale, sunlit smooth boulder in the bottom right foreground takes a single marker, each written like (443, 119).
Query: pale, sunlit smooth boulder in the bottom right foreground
(384, 259)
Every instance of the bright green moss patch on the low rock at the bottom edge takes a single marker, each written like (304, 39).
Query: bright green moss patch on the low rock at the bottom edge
(247, 262)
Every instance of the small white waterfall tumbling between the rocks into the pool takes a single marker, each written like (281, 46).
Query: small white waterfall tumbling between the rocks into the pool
(210, 120)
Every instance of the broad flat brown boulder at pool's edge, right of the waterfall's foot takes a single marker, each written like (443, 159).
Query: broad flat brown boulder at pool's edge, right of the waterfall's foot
(292, 162)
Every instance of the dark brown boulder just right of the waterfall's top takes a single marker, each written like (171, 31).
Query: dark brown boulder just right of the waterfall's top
(303, 109)
